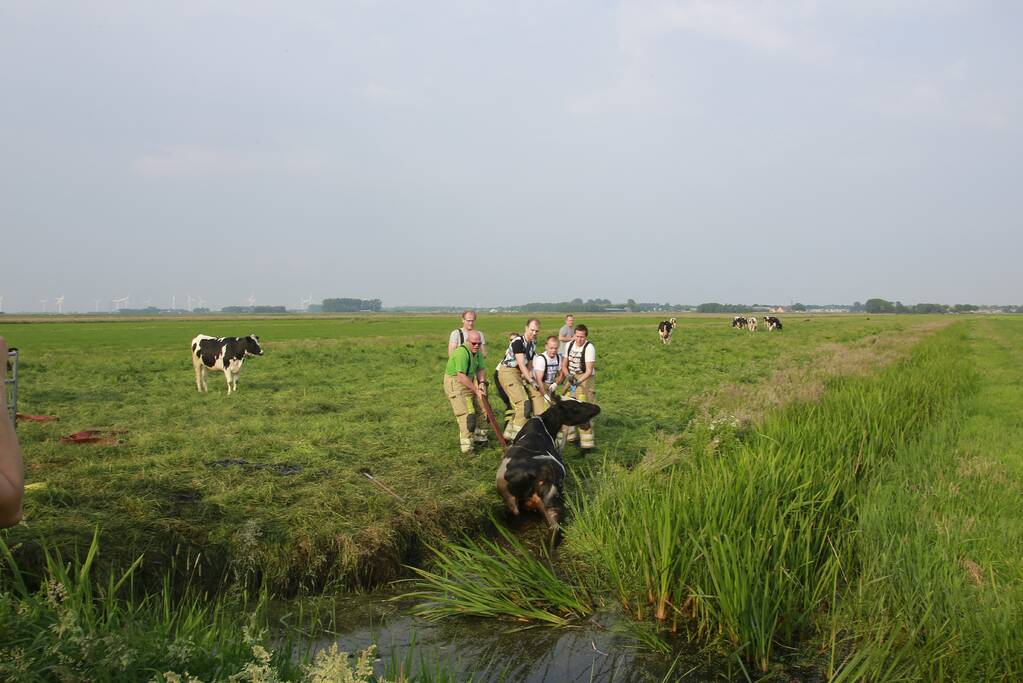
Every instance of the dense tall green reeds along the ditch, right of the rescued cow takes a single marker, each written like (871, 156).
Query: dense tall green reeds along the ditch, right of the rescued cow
(753, 542)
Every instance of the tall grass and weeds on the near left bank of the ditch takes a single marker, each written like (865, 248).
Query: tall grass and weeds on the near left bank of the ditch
(78, 626)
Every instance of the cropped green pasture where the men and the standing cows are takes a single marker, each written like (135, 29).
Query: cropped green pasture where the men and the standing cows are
(332, 397)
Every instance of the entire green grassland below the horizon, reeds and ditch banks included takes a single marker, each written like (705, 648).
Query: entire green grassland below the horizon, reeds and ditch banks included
(839, 499)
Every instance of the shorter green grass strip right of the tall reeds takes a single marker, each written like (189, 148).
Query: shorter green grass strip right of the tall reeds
(940, 595)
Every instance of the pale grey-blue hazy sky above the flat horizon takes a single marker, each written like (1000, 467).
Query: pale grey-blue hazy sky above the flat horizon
(494, 154)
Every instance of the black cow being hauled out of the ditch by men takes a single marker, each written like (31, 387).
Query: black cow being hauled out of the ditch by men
(532, 474)
